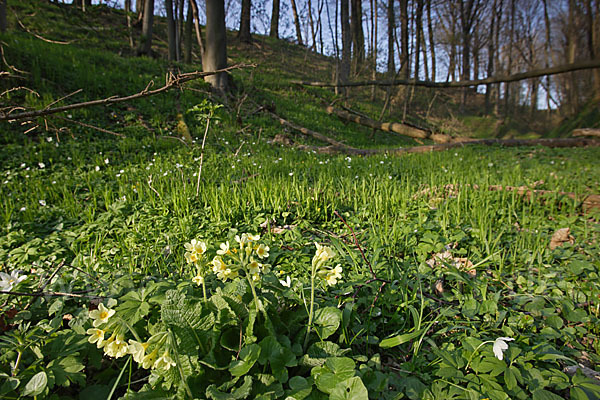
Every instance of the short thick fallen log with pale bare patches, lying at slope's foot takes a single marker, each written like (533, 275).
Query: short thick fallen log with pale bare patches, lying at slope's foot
(395, 127)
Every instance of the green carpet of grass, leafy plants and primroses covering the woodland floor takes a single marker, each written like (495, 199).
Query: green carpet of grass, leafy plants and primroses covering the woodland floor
(144, 267)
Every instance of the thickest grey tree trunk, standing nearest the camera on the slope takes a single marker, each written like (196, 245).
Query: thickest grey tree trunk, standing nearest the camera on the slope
(215, 53)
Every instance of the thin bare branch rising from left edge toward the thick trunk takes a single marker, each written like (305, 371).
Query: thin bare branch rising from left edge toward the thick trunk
(173, 80)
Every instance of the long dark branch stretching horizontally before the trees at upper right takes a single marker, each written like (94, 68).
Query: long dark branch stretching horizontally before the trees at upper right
(560, 69)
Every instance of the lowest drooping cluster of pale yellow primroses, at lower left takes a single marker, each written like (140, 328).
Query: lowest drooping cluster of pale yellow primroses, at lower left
(105, 323)
